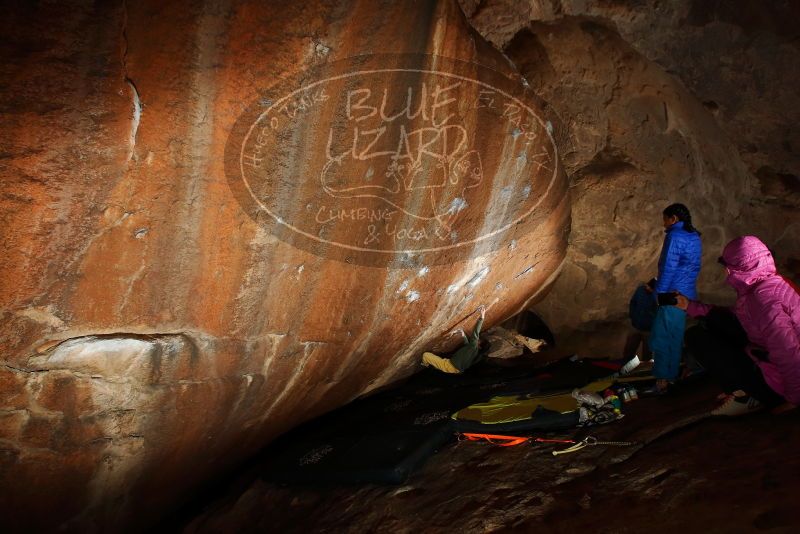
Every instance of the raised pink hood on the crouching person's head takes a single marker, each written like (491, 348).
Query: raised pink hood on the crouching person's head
(748, 261)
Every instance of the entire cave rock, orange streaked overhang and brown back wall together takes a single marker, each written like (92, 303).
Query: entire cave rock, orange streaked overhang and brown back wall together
(223, 218)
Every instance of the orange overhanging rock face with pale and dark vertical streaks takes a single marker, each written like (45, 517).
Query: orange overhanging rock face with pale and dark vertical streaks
(223, 219)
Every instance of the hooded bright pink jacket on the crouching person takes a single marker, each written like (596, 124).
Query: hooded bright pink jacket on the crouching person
(769, 310)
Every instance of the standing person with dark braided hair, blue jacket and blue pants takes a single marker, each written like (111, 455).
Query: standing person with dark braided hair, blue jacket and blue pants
(678, 268)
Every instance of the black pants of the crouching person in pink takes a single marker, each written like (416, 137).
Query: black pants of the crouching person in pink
(718, 343)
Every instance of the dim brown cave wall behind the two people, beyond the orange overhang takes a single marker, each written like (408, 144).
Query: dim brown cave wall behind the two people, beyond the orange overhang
(660, 102)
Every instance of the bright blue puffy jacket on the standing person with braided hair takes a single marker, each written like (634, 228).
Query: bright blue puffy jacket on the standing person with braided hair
(679, 264)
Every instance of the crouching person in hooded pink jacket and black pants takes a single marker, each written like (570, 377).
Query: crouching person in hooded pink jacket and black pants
(757, 358)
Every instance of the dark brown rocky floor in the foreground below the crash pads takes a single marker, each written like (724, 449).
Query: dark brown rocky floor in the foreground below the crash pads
(687, 472)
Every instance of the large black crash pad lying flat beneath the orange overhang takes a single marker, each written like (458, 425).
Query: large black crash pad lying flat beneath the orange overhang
(385, 437)
